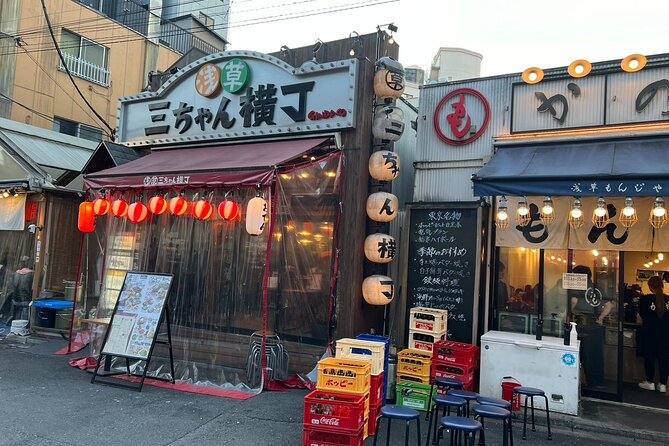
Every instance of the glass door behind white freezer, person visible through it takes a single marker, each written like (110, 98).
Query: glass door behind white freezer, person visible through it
(596, 312)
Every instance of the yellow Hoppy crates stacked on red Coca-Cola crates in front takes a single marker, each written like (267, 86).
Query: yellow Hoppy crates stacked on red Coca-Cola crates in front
(336, 413)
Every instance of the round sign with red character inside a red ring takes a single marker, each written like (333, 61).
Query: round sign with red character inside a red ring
(456, 127)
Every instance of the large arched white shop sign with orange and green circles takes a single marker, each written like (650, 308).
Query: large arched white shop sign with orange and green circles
(242, 94)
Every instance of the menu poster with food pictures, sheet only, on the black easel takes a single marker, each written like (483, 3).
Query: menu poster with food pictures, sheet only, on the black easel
(134, 323)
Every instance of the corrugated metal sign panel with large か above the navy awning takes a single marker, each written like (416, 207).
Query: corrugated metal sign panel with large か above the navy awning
(597, 100)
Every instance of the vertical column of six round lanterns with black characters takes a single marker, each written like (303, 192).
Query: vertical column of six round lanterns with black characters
(384, 166)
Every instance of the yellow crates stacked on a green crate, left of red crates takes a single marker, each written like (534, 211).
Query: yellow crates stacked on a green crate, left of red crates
(413, 379)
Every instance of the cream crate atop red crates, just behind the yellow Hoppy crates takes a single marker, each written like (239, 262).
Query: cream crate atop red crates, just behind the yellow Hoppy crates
(375, 353)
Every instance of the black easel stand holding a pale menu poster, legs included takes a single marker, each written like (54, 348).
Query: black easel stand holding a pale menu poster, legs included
(133, 328)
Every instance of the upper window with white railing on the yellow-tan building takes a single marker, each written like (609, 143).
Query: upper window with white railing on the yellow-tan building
(85, 58)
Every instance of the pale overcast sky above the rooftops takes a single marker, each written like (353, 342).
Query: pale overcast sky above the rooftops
(511, 35)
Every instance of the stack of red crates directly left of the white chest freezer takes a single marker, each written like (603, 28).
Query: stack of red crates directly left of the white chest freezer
(456, 360)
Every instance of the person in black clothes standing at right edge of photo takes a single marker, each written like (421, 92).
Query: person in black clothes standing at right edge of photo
(654, 311)
